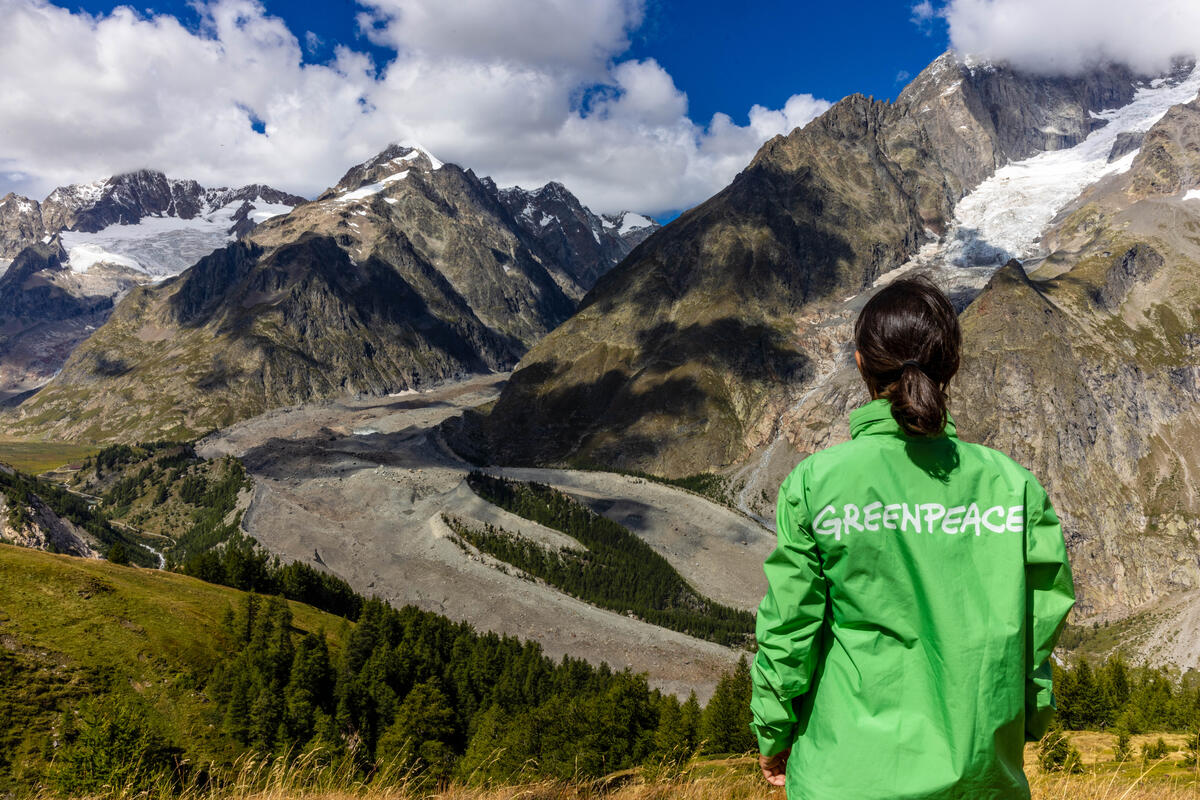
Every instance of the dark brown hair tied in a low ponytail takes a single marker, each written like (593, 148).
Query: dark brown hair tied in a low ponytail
(909, 340)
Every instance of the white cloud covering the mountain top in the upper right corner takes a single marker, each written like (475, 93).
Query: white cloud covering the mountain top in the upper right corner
(1067, 37)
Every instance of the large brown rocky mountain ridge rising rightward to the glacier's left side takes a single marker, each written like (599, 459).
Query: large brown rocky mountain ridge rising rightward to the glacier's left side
(685, 357)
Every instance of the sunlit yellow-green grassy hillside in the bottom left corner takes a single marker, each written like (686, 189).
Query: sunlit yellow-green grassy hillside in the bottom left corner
(73, 629)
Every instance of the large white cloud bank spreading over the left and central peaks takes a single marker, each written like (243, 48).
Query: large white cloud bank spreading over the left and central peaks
(526, 91)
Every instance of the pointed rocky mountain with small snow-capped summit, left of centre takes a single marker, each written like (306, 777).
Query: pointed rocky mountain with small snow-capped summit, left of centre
(406, 273)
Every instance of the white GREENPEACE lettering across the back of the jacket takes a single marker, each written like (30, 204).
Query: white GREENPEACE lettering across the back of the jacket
(919, 518)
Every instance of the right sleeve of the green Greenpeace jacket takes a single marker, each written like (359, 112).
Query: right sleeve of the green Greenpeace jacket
(1051, 596)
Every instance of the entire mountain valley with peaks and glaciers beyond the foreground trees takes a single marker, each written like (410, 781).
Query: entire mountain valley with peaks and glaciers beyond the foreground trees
(501, 407)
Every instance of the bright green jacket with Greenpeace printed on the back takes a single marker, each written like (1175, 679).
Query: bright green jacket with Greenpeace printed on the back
(916, 592)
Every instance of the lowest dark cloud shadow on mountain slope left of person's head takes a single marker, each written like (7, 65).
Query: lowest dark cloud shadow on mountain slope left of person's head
(632, 413)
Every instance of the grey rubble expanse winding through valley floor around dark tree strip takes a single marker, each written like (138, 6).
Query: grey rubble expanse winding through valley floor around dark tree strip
(361, 486)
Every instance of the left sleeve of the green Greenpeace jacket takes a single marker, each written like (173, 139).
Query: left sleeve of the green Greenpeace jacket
(789, 623)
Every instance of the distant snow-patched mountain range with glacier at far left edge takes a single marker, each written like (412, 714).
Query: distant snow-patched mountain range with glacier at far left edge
(71, 258)
